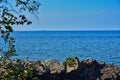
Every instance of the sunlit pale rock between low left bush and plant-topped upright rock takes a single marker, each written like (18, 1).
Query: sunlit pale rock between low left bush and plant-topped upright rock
(48, 67)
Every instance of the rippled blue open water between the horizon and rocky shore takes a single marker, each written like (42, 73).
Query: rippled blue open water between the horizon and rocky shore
(101, 45)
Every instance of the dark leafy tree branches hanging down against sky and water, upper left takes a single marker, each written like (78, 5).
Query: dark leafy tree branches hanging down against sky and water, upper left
(11, 14)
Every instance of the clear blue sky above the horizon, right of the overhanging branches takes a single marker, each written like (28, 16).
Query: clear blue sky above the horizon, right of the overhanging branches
(76, 15)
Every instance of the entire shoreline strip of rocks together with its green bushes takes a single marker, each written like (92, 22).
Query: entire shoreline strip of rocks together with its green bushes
(71, 69)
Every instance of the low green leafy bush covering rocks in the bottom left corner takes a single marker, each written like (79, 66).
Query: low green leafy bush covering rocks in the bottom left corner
(17, 71)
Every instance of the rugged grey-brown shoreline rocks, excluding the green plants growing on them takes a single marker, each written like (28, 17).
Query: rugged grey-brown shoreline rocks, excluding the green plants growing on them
(88, 69)
